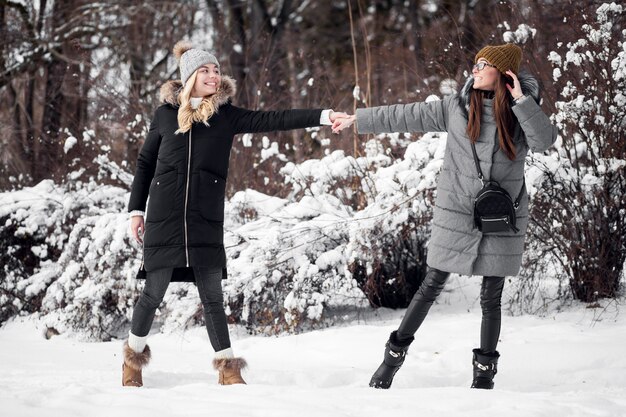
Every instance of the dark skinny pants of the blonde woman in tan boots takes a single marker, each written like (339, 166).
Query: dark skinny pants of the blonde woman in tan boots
(209, 284)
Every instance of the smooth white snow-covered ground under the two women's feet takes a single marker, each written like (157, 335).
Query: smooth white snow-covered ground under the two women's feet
(570, 364)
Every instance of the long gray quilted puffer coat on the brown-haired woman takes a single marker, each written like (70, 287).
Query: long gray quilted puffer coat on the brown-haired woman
(455, 244)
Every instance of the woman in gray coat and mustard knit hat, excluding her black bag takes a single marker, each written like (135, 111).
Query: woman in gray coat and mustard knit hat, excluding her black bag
(497, 113)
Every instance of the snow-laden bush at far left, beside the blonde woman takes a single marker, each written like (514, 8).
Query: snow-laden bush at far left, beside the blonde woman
(79, 277)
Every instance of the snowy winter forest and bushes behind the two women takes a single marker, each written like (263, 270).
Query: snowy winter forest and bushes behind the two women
(320, 228)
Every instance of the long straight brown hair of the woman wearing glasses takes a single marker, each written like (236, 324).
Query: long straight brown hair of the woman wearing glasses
(505, 121)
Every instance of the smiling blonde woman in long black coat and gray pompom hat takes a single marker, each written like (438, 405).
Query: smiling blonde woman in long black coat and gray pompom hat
(183, 167)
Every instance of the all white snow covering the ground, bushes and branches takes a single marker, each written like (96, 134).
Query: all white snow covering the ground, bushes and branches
(289, 271)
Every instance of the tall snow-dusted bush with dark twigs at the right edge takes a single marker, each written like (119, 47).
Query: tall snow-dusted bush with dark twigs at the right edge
(578, 218)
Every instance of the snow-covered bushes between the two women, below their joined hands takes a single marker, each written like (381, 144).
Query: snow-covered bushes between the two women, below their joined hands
(300, 262)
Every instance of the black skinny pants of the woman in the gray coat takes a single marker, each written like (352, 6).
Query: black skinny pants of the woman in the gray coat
(431, 287)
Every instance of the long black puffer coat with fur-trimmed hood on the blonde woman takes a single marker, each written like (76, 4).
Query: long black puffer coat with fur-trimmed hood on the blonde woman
(185, 176)
